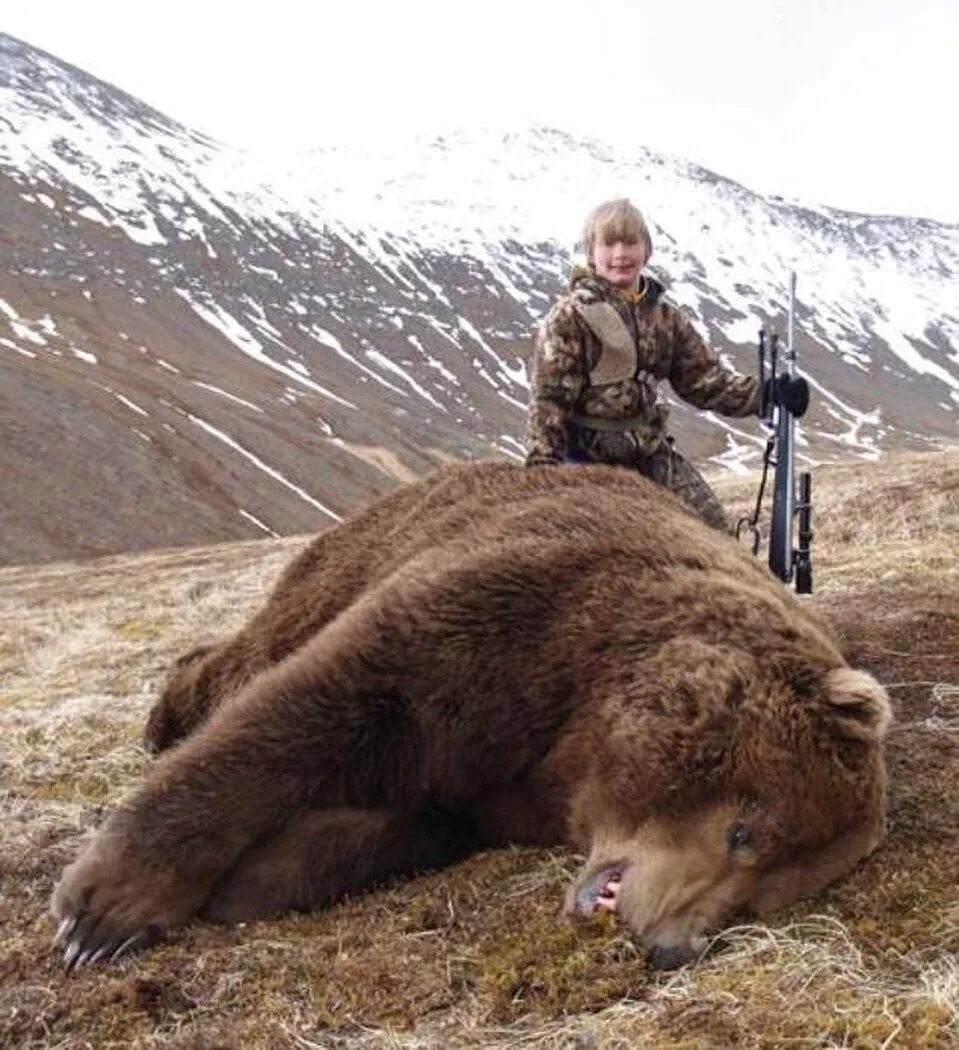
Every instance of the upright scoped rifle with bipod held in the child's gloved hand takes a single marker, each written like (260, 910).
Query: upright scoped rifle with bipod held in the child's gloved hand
(788, 501)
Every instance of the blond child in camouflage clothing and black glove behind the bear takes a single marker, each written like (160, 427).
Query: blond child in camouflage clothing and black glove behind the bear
(601, 353)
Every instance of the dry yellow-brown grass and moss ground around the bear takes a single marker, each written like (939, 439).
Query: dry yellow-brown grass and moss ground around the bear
(474, 957)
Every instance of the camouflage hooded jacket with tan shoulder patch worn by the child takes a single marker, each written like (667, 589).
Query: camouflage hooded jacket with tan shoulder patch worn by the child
(600, 358)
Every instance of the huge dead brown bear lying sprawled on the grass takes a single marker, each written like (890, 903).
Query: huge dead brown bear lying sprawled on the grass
(496, 656)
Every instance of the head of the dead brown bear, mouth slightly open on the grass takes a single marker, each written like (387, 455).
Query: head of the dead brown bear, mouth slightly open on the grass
(726, 783)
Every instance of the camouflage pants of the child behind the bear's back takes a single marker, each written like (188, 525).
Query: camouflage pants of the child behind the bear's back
(664, 466)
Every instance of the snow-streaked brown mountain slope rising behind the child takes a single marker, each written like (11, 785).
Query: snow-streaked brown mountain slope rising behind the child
(198, 343)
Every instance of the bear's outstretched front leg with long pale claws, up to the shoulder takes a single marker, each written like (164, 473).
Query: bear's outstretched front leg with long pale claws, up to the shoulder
(381, 709)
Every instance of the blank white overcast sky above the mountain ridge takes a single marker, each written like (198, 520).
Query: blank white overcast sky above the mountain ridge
(851, 103)
